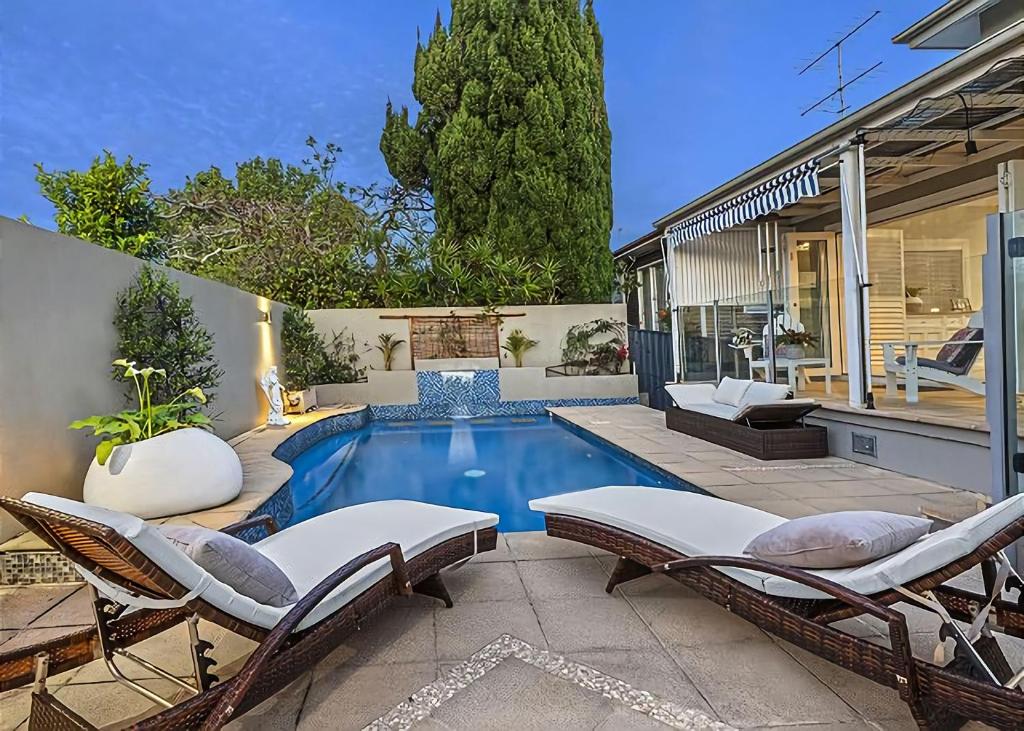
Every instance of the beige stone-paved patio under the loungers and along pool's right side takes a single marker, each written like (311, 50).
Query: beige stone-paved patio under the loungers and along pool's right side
(558, 652)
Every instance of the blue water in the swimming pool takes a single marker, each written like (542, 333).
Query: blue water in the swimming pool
(495, 465)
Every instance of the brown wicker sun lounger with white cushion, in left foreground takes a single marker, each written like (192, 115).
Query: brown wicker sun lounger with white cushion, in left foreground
(348, 566)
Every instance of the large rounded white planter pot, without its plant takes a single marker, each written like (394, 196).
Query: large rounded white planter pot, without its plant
(179, 472)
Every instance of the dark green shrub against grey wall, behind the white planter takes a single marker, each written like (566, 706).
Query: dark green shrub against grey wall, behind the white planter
(158, 327)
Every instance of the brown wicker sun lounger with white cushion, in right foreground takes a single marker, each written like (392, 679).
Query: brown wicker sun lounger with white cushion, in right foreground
(694, 540)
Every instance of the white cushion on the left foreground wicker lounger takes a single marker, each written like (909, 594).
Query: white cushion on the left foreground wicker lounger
(308, 552)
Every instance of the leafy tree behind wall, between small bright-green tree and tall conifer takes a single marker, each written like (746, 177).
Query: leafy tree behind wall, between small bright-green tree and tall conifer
(284, 232)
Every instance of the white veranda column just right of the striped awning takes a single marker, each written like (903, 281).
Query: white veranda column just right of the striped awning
(852, 199)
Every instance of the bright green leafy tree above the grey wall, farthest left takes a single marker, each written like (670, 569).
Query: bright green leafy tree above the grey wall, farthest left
(109, 204)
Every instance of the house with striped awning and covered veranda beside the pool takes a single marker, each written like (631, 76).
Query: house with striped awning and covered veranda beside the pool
(872, 235)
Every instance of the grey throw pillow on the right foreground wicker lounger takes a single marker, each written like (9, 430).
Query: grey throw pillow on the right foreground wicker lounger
(841, 540)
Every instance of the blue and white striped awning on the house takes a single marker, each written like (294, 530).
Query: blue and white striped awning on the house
(801, 182)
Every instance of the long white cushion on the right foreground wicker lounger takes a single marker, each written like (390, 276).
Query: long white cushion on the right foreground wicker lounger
(701, 526)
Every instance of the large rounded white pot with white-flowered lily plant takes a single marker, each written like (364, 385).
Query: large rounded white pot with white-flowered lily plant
(159, 459)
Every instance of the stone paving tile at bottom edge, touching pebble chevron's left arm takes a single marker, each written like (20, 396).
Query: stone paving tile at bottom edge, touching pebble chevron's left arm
(347, 698)
